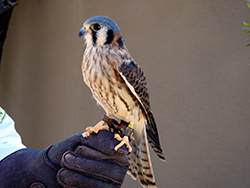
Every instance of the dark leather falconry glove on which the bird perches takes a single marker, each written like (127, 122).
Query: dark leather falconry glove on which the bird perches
(74, 162)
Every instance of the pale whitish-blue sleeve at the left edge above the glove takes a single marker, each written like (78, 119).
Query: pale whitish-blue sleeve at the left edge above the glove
(10, 140)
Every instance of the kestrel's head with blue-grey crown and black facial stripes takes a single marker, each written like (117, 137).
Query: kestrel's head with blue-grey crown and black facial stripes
(101, 30)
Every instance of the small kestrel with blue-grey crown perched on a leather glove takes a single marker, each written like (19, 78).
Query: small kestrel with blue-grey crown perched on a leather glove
(118, 85)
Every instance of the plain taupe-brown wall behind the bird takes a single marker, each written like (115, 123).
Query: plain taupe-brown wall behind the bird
(196, 61)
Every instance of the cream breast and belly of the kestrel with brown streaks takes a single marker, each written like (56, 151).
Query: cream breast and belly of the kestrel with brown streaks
(107, 86)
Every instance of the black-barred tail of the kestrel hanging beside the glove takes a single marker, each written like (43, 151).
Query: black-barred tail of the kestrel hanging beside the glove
(140, 163)
